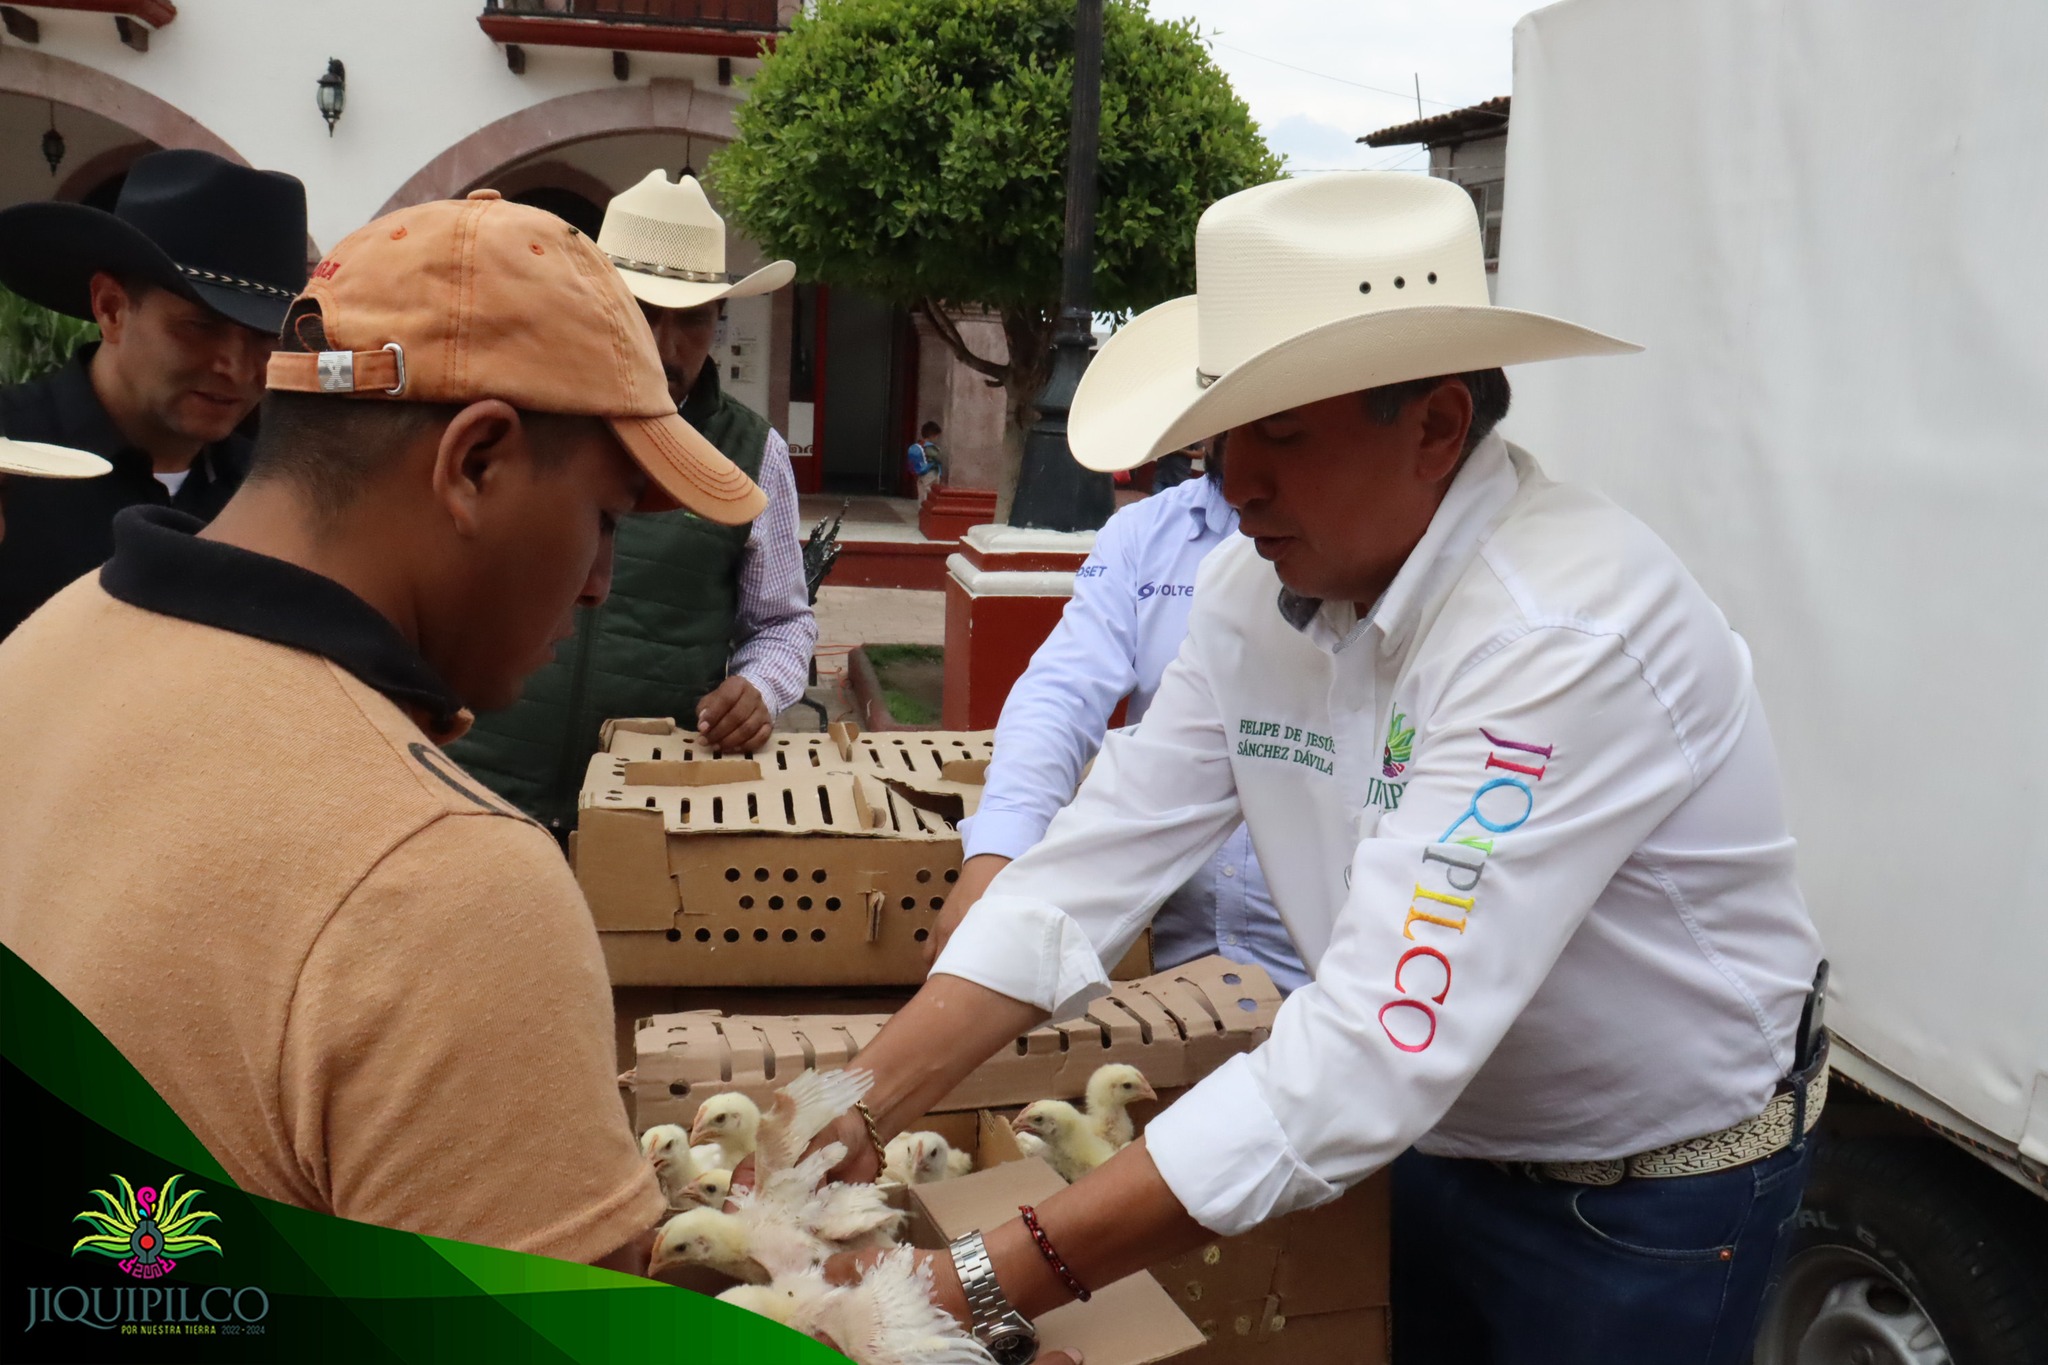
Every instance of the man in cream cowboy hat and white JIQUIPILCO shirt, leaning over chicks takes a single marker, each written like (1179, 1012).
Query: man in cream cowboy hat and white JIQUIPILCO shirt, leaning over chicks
(1512, 789)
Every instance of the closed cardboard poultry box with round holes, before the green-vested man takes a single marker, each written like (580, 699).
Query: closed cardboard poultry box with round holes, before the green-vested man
(820, 863)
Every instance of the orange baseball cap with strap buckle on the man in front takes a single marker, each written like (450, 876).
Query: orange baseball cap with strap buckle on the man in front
(478, 298)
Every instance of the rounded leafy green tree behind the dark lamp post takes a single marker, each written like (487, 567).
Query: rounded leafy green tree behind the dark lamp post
(916, 150)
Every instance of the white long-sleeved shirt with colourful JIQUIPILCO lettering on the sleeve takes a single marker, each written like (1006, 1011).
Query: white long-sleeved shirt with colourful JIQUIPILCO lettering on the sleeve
(1523, 824)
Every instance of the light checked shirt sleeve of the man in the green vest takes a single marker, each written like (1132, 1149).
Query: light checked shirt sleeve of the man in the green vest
(775, 629)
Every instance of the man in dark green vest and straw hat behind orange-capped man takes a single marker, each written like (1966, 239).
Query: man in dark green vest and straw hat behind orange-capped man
(703, 621)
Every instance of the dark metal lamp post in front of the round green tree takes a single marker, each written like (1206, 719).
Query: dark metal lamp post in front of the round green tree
(1054, 490)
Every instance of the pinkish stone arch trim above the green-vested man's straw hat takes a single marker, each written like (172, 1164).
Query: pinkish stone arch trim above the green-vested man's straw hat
(656, 107)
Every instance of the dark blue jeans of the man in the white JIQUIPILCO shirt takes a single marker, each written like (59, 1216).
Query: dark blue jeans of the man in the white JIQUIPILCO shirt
(1494, 1268)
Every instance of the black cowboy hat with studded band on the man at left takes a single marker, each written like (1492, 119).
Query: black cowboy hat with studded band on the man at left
(224, 236)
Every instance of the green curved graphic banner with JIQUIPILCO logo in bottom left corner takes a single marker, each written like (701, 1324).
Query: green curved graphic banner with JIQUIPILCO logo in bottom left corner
(126, 1241)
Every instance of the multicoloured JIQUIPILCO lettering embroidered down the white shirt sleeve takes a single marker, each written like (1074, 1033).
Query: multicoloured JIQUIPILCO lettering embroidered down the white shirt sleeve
(1459, 867)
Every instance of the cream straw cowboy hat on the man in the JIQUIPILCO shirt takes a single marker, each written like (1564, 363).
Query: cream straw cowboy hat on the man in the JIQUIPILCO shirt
(1308, 290)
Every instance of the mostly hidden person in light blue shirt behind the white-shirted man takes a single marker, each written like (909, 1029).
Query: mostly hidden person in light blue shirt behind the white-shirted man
(1115, 640)
